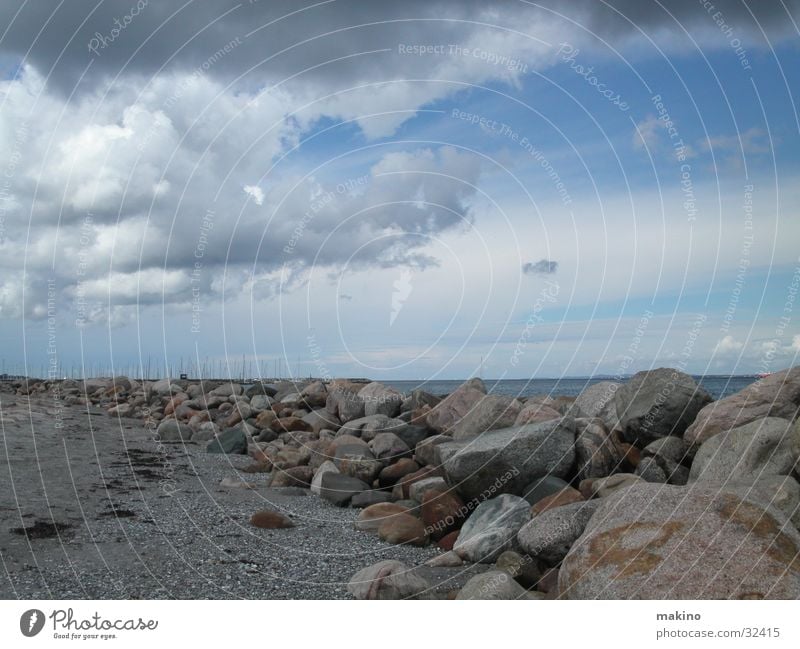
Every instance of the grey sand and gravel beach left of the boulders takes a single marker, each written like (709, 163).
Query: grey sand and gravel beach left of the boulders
(94, 508)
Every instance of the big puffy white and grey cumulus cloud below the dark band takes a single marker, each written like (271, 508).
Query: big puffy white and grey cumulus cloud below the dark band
(130, 190)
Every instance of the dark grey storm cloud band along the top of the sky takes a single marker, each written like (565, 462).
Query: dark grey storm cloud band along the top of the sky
(142, 36)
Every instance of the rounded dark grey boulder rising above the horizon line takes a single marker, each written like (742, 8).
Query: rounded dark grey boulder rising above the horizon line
(658, 403)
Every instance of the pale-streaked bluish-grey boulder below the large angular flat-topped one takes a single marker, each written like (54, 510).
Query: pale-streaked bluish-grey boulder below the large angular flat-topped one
(492, 528)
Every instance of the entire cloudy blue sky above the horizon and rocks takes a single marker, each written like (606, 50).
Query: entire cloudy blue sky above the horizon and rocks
(416, 190)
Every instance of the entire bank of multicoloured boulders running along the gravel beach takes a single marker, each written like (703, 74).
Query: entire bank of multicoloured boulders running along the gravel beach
(630, 490)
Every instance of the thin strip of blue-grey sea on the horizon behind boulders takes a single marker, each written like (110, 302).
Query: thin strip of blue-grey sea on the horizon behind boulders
(717, 386)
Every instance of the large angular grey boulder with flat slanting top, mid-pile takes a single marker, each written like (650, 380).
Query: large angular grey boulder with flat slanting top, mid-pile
(506, 461)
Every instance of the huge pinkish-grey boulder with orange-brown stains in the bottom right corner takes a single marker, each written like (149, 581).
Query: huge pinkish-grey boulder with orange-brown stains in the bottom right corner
(653, 541)
